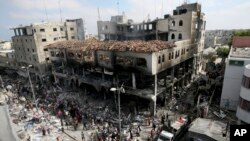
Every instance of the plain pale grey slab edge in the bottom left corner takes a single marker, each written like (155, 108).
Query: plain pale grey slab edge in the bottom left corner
(6, 133)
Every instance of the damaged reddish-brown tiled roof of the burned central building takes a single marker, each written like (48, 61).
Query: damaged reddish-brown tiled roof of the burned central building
(94, 44)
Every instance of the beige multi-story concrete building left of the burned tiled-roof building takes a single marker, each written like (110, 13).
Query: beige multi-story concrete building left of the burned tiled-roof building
(29, 41)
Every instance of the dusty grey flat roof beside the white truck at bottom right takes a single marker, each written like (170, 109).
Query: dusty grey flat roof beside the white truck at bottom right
(211, 128)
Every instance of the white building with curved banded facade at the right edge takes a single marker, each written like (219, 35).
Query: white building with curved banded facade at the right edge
(243, 110)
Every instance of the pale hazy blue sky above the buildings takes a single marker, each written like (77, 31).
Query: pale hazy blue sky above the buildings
(220, 14)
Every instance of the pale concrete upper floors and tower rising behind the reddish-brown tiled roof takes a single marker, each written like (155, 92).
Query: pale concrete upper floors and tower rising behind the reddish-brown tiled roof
(186, 23)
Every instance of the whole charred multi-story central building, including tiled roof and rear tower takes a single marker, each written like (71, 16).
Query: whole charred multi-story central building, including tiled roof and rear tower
(149, 69)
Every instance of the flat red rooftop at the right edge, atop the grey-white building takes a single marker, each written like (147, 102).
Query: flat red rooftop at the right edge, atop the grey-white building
(241, 41)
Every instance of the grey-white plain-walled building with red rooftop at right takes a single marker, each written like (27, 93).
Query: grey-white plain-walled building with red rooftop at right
(238, 58)
